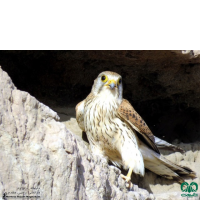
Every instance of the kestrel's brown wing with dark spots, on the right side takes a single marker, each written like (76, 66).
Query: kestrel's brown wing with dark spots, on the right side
(128, 113)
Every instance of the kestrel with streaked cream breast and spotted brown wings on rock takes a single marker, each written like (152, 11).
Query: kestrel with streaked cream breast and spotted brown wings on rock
(117, 132)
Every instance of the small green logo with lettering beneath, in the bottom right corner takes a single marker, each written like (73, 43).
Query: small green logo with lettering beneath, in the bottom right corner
(193, 187)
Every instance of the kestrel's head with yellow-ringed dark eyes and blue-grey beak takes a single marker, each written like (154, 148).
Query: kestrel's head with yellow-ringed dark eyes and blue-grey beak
(108, 83)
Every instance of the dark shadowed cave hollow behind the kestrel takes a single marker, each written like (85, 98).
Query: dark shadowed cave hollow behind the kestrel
(163, 86)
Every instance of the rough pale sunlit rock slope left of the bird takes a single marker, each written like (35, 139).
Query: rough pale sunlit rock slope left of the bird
(40, 156)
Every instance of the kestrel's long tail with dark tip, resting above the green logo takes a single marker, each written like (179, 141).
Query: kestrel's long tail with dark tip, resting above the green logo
(163, 167)
